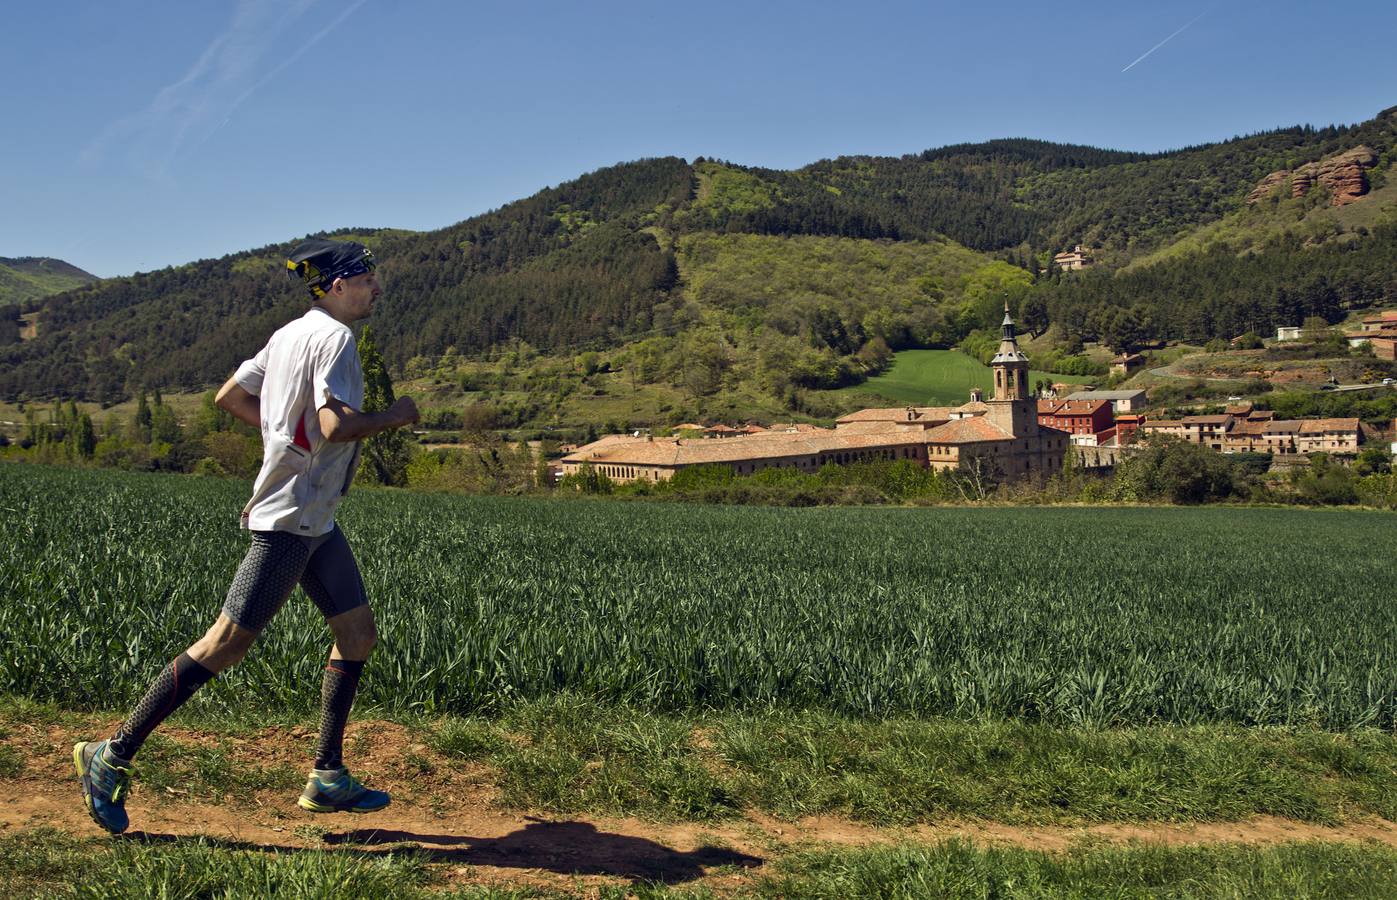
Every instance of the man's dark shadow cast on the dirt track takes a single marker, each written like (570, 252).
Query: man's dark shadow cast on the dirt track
(562, 848)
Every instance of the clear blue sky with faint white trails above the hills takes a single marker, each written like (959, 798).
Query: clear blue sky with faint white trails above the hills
(149, 135)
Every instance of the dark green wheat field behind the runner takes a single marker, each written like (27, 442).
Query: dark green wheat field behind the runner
(1076, 617)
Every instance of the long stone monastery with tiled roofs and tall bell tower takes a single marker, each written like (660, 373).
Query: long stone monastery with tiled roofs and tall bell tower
(1001, 435)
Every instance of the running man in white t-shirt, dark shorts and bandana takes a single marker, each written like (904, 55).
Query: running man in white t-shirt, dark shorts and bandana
(304, 391)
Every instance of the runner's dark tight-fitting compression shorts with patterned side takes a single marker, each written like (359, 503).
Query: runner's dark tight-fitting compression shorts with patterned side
(277, 561)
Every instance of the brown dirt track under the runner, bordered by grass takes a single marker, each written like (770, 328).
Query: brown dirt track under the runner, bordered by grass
(453, 815)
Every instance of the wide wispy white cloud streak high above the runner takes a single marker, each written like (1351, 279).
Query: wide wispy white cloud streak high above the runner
(185, 114)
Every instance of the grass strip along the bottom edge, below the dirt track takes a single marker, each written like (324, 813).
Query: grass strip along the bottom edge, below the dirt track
(50, 863)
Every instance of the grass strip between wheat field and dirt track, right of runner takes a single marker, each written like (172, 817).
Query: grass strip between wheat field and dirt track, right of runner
(571, 755)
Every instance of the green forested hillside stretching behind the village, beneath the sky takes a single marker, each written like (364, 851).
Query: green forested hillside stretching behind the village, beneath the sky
(844, 258)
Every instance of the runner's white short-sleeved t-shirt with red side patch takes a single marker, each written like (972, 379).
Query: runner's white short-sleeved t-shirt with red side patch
(304, 476)
